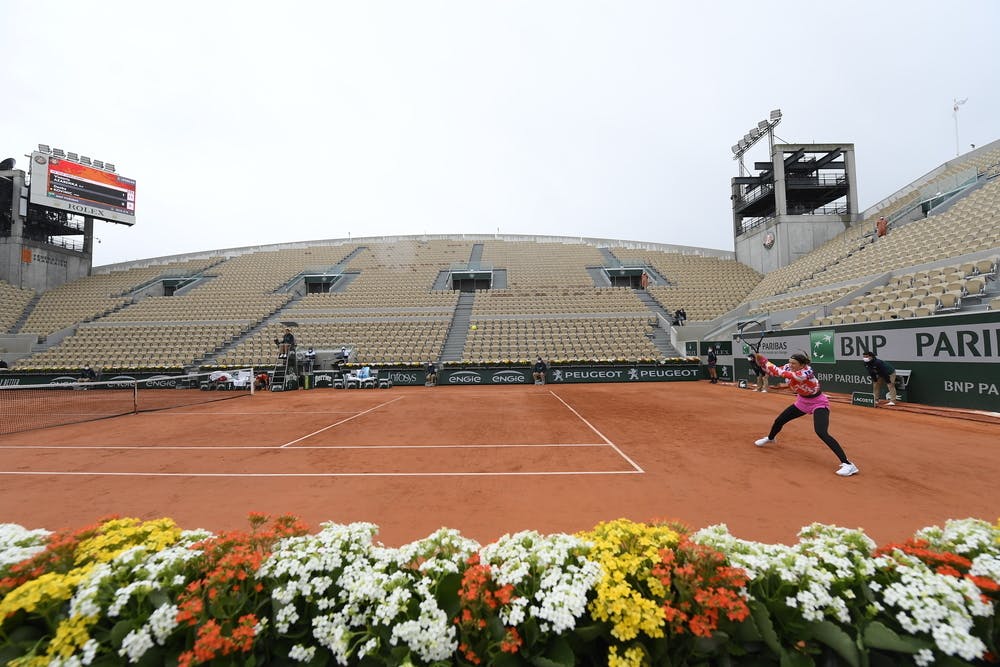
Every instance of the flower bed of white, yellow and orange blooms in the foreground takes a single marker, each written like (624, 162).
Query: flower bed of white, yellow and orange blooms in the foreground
(125, 591)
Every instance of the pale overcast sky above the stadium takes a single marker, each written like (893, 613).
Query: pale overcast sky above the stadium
(249, 123)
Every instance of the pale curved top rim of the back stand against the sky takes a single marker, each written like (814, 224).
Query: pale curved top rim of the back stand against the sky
(244, 250)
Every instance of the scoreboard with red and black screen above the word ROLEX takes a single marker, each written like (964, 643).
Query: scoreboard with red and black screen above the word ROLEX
(81, 189)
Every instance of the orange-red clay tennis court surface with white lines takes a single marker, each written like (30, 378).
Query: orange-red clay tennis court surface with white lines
(491, 460)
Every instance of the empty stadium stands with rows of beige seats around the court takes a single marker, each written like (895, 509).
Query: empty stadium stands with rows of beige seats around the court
(398, 301)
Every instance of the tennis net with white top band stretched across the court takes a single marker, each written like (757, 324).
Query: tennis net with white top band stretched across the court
(27, 407)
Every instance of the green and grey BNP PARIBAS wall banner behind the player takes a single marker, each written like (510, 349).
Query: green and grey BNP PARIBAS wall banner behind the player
(953, 360)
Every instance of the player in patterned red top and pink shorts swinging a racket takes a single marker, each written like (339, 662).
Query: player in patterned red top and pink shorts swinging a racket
(810, 400)
